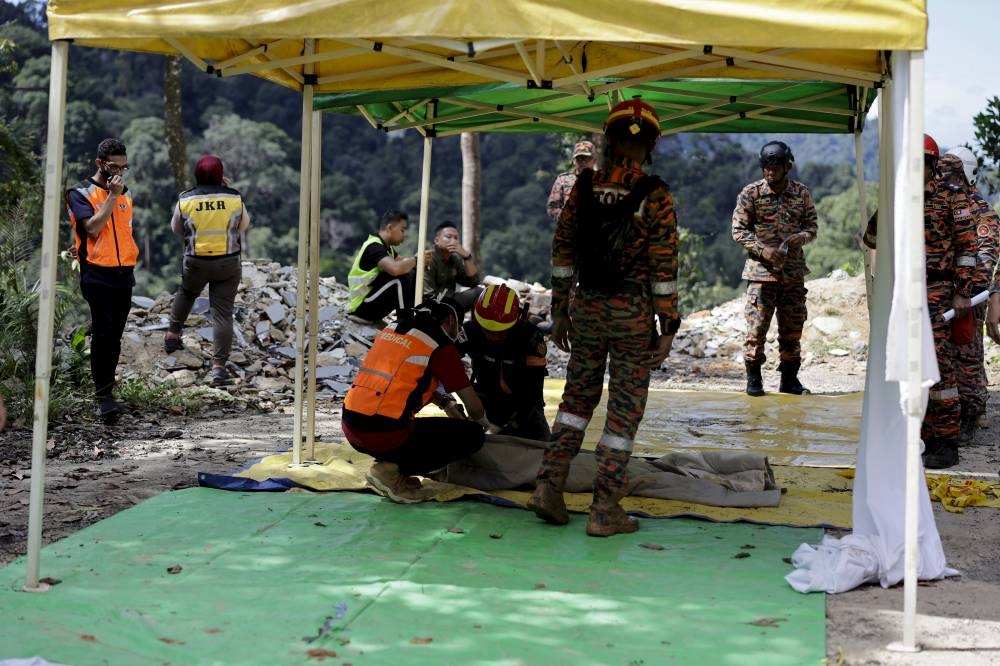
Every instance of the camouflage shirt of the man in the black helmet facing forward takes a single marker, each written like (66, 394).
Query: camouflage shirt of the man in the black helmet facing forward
(762, 218)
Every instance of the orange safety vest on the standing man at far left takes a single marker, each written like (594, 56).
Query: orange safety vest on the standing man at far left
(114, 245)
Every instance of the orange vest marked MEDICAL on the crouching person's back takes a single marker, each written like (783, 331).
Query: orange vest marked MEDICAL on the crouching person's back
(394, 380)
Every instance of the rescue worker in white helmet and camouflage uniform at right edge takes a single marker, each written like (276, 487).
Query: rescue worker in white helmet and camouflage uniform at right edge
(960, 168)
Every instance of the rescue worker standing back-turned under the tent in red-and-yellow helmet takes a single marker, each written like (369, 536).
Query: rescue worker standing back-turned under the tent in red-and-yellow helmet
(608, 306)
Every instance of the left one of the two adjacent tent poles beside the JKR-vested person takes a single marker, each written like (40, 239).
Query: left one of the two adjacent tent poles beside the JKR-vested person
(305, 163)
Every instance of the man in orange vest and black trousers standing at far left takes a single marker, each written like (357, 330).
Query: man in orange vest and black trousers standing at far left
(100, 209)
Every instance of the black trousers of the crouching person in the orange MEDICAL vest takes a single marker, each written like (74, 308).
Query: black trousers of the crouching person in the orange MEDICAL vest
(434, 442)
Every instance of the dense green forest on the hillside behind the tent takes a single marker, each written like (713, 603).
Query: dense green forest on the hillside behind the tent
(255, 127)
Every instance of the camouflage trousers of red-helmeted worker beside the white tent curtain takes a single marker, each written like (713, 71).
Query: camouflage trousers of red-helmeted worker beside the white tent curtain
(941, 420)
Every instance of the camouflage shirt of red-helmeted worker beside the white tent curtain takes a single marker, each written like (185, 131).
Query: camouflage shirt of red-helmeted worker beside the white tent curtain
(949, 236)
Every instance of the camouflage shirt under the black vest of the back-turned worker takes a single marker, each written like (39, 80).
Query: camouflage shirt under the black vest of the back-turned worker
(652, 257)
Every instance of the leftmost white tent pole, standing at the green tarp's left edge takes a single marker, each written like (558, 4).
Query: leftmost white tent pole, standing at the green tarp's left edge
(46, 306)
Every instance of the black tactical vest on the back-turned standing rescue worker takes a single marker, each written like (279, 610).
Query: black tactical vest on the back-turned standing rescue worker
(604, 231)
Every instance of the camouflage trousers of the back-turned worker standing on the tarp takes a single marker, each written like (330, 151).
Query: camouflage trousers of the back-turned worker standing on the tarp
(609, 331)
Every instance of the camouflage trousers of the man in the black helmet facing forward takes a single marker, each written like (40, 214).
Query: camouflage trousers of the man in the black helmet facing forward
(788, 299)
